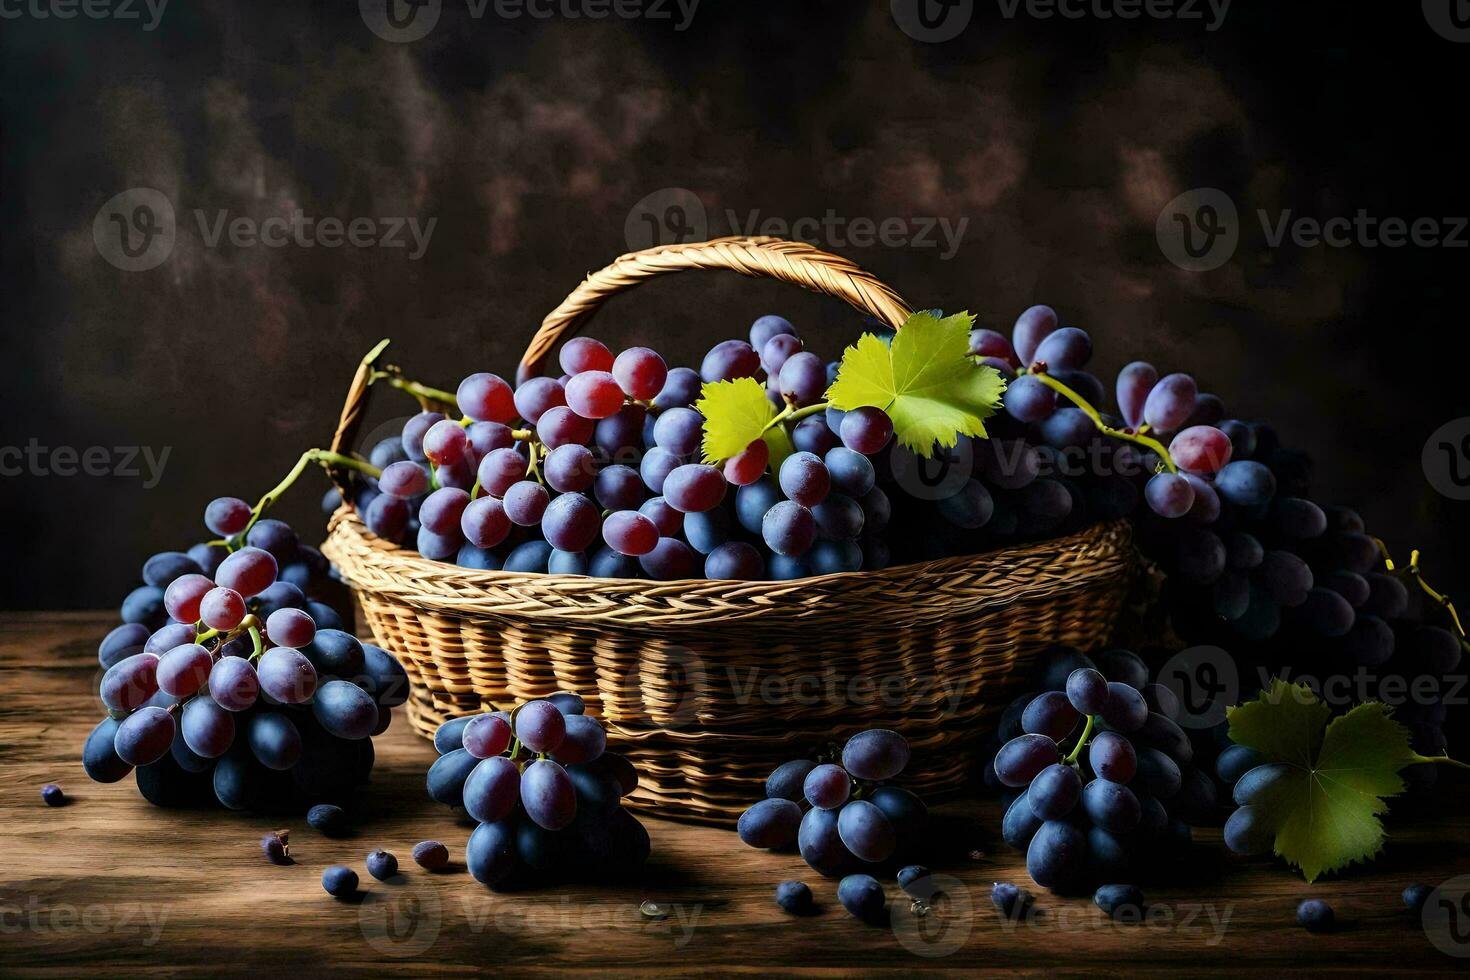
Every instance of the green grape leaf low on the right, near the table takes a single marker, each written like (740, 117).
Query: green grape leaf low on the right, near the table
(1328, 815)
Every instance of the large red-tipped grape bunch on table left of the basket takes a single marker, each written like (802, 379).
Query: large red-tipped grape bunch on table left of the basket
(227, 682)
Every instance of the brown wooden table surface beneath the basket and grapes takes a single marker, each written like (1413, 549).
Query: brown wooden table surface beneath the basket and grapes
(111, 885)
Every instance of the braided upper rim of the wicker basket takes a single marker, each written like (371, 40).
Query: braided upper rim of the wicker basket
(930, 590)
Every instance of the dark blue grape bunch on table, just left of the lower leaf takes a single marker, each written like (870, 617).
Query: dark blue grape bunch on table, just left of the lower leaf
(1103, 781)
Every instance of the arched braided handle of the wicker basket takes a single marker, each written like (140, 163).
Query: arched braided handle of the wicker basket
(793, 262)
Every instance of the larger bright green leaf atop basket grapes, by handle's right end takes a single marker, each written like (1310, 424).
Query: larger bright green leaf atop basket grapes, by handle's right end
(925, 381)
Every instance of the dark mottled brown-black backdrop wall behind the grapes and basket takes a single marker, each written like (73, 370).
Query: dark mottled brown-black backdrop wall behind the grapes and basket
(533, 140)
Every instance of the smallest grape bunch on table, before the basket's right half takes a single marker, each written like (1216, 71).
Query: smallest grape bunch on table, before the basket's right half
(845, 816)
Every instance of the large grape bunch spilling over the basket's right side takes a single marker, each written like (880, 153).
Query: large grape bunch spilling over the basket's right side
(1253, 565)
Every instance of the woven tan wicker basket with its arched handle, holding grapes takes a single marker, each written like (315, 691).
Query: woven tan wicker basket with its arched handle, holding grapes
(709, 685)
